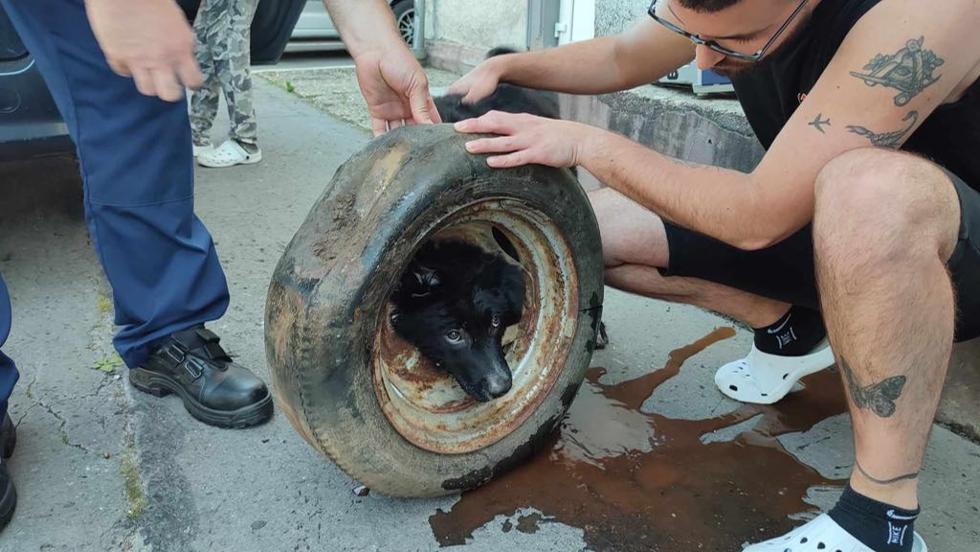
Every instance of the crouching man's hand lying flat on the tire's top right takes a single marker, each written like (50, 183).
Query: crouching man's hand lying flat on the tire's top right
(526, 139)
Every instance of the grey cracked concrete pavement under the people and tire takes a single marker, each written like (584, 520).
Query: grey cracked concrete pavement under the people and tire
(102, 467)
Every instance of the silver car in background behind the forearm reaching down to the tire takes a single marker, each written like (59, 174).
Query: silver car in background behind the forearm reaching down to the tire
(315, 31)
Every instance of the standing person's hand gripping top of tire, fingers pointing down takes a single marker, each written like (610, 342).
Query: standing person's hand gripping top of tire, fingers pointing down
(395, 87)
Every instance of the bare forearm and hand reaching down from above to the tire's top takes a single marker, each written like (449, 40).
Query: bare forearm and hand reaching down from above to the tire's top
(391, 79)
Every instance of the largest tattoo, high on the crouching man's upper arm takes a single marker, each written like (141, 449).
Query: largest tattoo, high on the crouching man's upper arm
(910, 70)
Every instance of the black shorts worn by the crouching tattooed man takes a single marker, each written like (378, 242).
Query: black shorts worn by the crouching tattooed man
(785, 271)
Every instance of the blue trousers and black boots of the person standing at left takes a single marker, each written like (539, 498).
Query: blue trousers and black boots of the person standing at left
(136, 165)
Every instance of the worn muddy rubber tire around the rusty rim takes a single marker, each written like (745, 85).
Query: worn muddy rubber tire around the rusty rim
(333, 281)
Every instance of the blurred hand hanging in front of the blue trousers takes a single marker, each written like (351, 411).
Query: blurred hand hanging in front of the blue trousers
(148, 40)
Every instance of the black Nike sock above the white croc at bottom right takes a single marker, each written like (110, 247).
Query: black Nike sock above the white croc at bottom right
(881, 527)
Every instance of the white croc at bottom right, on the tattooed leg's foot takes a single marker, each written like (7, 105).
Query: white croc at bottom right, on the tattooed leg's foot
(822, 534)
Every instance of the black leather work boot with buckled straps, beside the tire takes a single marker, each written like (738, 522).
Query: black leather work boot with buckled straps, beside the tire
(214, 389)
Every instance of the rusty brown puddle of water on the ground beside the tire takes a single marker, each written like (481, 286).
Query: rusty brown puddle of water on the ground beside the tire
(637, 481)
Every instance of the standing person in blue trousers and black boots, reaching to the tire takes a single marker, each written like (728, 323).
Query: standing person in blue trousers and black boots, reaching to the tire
(117, 70)
